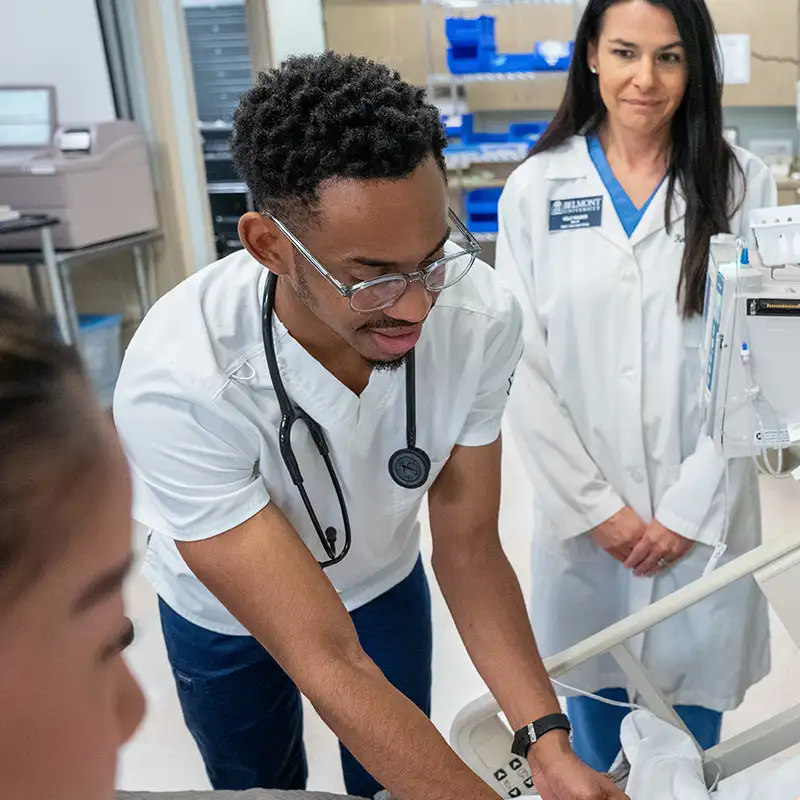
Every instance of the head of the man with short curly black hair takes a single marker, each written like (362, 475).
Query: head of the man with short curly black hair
(349, 157)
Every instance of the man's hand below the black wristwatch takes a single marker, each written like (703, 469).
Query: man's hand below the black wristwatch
(559, 774)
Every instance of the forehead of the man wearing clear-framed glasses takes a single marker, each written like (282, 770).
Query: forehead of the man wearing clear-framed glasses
(396, 221)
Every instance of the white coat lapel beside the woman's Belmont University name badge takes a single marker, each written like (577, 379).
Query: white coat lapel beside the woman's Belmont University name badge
(581, 179)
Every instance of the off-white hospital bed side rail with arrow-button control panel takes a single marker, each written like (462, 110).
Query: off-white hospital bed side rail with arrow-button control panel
(483, 739)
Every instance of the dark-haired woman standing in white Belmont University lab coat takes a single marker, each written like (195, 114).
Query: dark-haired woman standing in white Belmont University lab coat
(604, 235)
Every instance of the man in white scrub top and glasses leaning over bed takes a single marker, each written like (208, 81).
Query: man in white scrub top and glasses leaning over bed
(286, 410)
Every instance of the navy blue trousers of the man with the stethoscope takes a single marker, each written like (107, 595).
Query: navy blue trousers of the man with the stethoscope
(246, 714)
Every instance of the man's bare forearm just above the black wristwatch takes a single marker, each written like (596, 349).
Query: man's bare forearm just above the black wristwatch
(483, 594)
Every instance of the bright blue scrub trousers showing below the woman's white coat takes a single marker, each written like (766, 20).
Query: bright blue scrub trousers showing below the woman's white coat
(596, 726)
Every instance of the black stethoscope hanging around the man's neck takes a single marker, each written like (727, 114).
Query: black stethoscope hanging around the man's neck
(409, 467)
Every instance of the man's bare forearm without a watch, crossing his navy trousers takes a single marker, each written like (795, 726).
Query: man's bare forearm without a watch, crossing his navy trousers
(389, 735)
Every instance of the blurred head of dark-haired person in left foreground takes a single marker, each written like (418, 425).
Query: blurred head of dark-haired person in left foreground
(67, 700)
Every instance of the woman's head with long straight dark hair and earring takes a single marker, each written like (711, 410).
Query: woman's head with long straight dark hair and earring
(651, 68)
